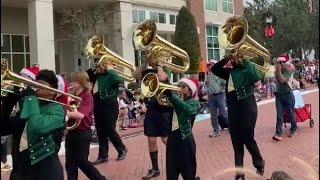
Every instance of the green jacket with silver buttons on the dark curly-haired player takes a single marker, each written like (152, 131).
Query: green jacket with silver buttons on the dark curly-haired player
(43, 119)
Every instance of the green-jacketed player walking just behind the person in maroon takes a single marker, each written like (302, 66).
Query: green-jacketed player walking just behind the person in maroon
(106, 110)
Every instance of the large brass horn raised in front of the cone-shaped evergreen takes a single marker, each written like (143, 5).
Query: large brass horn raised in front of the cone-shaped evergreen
(145, 38)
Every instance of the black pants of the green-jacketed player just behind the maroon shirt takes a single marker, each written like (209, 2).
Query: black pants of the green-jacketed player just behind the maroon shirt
(105, 116)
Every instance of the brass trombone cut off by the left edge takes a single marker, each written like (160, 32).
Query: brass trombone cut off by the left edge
(10, 79)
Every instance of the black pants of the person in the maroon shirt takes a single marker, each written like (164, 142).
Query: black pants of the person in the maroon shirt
(77, 152)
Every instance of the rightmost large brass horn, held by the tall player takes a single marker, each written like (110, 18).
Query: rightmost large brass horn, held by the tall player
(238, 40)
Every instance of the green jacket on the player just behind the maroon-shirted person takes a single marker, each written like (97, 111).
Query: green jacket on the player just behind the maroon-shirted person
(108, 84)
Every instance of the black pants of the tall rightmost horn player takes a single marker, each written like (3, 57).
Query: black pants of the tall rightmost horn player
(242, 121)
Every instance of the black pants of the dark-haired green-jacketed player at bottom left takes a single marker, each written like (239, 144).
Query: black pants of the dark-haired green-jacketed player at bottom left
(49, 168)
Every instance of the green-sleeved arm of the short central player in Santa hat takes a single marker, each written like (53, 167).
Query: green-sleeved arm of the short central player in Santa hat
(181, 106)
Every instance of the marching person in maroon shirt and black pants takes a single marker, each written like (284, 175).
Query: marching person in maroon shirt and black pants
(78, 140)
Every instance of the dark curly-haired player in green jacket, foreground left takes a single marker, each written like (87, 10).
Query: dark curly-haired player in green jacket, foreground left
(44, 129)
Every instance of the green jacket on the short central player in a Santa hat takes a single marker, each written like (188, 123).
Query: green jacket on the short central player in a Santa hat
(185, 109)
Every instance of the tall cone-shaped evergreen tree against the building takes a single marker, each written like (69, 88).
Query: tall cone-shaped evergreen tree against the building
(187, 38)
